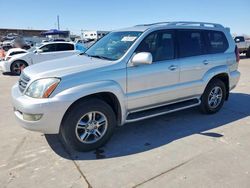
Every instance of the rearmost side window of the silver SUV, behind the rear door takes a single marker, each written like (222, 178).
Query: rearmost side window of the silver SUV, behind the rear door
(217, 42)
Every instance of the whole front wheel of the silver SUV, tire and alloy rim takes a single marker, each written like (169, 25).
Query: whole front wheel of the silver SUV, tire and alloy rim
(79, 127)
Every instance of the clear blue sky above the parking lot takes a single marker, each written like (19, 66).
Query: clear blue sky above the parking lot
(77, 15)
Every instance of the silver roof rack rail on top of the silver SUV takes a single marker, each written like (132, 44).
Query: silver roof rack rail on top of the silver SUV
(185, 23)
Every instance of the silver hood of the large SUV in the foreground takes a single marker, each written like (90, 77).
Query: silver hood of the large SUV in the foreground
(65, 66)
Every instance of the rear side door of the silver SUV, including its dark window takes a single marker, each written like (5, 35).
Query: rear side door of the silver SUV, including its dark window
(193, 59)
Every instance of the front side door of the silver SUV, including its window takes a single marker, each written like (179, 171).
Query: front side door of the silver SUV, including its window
(154, 84)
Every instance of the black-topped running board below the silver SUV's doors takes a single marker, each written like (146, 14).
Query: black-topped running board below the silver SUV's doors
(137, 116)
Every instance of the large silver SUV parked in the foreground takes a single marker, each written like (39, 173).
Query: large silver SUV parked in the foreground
(129, 75)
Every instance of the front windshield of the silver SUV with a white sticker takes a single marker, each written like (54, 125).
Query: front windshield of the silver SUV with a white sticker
(114, 45)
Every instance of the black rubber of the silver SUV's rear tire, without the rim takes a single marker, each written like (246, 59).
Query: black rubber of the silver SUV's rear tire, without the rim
(204, 99)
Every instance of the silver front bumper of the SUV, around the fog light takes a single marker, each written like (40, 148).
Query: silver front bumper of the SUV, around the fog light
(52, 110)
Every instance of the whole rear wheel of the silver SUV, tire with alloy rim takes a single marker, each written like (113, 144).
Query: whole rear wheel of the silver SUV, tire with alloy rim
(208, 99)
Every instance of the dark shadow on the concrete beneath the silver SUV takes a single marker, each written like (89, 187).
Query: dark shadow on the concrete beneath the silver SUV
(153, 133)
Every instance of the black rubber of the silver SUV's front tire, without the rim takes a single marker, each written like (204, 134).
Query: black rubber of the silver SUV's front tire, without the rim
(67, 129)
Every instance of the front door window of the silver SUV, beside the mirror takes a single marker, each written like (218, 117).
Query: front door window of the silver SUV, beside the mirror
(159, 44)
